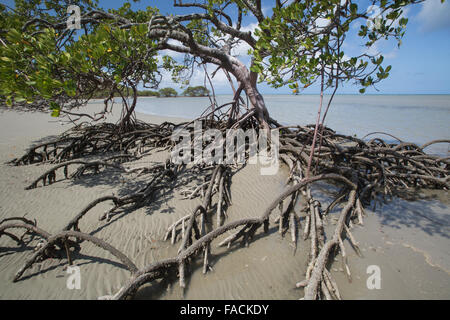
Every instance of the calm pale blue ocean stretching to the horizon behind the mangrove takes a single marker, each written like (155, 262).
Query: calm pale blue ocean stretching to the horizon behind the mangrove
(412, 118)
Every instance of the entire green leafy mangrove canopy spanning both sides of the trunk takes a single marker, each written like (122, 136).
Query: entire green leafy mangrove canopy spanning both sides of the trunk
(301, 41)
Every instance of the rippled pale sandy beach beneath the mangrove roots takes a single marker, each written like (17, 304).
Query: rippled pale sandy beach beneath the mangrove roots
(408, 240)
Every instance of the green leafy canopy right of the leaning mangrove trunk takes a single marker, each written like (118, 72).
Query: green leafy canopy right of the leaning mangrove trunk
(305, 40)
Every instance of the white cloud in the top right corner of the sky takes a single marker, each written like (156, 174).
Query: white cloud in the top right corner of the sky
(434, 15)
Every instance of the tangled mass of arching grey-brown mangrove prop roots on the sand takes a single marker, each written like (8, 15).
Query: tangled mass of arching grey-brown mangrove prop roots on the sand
(363, 169)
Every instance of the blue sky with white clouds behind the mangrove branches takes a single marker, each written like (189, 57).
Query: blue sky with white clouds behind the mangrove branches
(420, 66)
